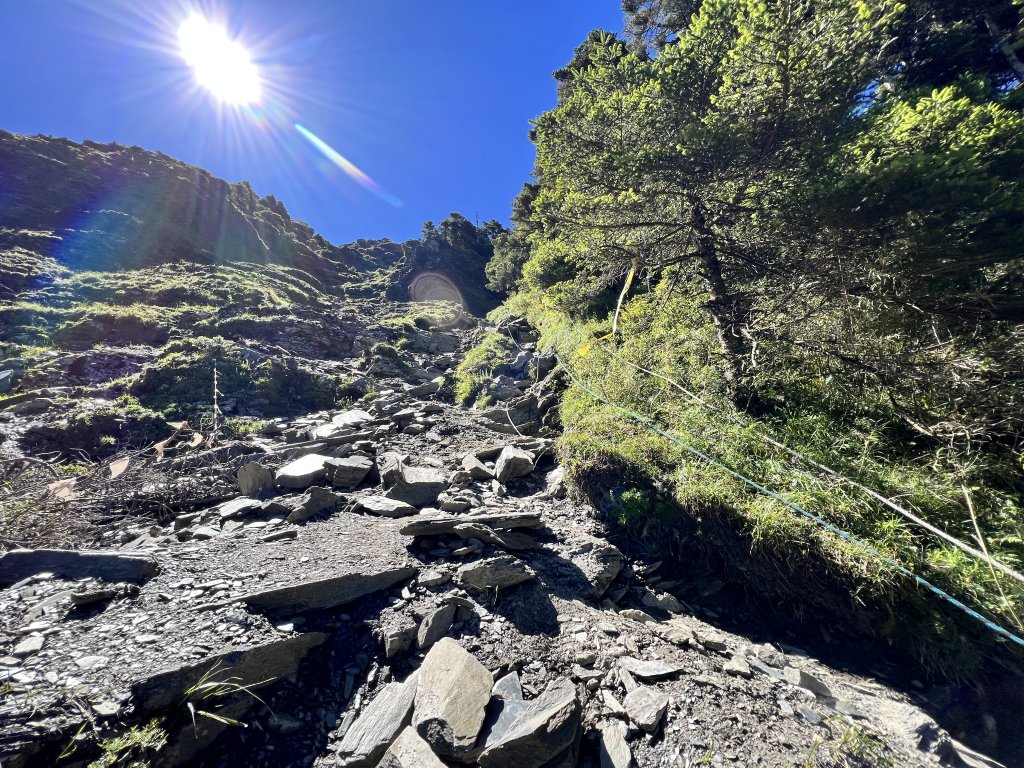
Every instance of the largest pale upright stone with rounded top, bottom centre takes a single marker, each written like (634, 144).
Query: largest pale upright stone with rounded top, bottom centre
(451, 699)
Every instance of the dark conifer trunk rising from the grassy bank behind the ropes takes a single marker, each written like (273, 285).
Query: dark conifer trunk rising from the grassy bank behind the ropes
(730, 316)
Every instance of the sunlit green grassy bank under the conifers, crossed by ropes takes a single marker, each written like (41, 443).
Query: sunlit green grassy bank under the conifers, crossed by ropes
(651, 482)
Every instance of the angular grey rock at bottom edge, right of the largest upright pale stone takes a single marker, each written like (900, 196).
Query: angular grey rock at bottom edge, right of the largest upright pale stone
(540, 732)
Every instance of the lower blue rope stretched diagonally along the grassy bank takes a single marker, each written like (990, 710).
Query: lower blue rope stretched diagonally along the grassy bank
(832, 528)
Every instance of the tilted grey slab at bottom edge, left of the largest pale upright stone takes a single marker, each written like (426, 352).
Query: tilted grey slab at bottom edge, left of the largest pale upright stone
(379, 724)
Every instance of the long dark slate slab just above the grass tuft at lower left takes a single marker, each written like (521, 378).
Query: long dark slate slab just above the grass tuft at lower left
(253, 667)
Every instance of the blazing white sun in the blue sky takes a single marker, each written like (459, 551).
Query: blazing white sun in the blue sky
(223, 66)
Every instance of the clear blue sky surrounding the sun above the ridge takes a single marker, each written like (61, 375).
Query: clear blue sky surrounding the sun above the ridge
(432, 99)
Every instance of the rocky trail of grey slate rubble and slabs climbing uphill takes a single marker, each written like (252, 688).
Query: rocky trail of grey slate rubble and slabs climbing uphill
(406, 583)
